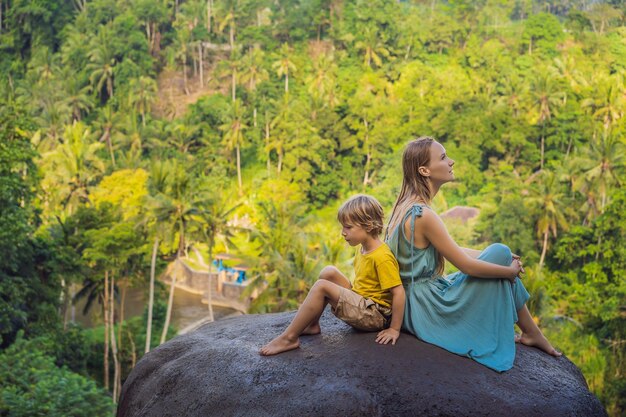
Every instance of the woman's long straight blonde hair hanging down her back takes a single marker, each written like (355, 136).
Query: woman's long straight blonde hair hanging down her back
(415, 187)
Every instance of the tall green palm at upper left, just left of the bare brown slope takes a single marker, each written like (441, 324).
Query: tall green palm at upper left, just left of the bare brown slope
(102, 61)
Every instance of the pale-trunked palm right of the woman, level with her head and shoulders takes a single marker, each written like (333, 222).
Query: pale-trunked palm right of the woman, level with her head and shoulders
(547, 197)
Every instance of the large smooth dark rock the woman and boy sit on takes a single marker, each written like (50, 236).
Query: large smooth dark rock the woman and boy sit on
(217, 371)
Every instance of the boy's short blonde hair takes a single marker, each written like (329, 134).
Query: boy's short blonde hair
(363, 211)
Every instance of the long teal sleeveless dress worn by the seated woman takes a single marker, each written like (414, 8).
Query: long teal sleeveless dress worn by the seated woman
(468, 316)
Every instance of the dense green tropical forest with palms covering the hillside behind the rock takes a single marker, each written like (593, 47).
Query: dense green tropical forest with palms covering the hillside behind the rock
(132, 131)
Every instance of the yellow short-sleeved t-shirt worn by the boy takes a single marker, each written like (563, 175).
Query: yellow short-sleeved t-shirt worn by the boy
(375, 273)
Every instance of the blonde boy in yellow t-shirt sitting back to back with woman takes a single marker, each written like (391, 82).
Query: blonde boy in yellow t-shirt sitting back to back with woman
(376, 300)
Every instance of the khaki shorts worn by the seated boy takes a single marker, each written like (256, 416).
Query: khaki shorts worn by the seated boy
(361, 313)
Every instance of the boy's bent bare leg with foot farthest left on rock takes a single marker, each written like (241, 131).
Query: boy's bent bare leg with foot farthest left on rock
(322, 292)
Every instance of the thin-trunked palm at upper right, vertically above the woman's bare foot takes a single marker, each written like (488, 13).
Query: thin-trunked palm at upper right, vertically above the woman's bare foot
(546, 96)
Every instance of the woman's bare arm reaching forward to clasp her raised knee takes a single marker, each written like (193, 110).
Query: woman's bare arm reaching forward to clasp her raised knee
(432, 229)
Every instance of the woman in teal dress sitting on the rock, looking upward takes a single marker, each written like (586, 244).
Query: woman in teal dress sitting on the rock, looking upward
(471, 312)
